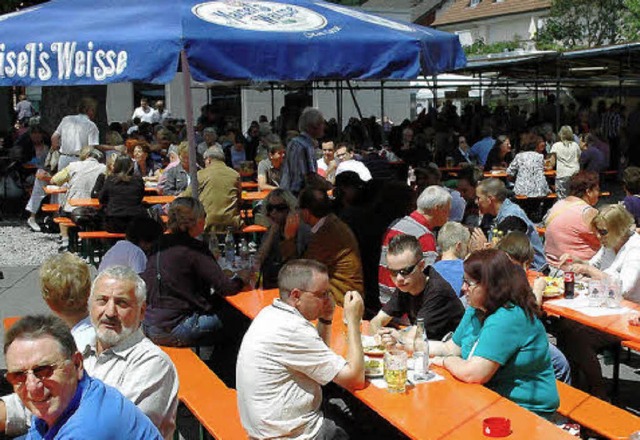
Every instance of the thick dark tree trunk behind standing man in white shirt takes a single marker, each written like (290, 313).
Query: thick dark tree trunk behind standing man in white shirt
(58, 102)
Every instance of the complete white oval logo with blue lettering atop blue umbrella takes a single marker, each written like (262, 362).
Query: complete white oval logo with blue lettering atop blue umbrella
(260, 16)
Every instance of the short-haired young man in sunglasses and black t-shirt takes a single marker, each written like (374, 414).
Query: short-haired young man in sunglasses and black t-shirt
(420, 293)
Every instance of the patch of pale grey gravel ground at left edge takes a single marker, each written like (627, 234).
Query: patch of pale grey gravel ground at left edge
(19, 246)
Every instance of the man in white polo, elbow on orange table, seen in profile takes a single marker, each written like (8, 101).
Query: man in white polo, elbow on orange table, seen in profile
(284, 359)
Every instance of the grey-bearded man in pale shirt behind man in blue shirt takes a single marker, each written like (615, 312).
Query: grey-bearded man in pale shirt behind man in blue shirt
(121, 355)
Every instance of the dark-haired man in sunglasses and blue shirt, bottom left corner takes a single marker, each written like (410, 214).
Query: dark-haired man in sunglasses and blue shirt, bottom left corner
(46, 371)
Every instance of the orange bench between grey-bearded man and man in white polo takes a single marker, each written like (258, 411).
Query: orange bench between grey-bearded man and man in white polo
(207, 397)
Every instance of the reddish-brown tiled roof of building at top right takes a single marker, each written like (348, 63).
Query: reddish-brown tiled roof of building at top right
(461, 12)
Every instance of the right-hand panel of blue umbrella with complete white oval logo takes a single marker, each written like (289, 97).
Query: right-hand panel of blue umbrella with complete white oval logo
(289, 40)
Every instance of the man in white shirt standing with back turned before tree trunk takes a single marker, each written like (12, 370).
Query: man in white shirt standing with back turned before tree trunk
(75, 132)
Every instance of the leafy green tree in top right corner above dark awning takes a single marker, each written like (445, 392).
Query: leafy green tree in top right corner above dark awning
(590, 23)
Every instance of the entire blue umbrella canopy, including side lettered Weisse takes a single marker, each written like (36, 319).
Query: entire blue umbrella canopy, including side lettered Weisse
(74, 42)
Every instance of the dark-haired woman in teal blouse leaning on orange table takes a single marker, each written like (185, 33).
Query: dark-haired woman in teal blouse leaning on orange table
(500, 341)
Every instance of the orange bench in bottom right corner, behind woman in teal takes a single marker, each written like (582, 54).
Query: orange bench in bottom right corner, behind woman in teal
(595, 414)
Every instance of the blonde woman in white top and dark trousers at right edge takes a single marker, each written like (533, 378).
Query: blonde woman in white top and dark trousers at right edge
(618, 258)
